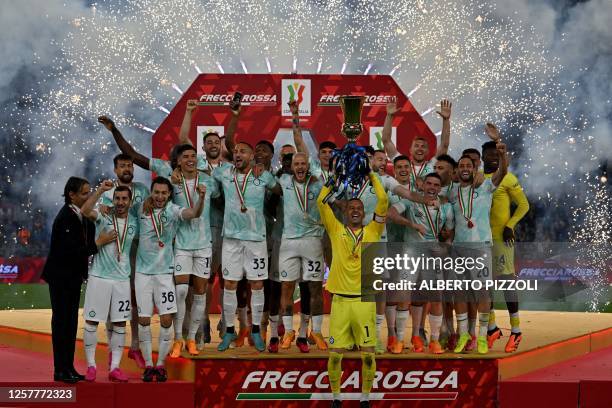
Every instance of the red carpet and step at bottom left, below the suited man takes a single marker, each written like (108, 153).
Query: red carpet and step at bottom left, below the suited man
(20, 368)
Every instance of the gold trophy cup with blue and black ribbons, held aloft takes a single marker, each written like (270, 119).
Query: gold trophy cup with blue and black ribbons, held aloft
(350, 164)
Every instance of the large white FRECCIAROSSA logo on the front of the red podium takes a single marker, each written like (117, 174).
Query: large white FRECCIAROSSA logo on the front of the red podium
(313, 385)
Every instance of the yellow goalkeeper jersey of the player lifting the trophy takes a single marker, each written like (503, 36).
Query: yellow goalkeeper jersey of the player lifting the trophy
(345, 272)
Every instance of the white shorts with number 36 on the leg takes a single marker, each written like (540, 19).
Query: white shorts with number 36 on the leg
(155, 289)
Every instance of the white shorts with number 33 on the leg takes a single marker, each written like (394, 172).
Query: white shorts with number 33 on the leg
(240, 258)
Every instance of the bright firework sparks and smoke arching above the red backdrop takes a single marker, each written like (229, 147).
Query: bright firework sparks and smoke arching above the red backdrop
(133, 60)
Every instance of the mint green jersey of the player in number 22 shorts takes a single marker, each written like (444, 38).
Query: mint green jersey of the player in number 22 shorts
(108, 263)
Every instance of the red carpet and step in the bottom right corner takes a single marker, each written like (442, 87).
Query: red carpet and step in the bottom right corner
(583, 381)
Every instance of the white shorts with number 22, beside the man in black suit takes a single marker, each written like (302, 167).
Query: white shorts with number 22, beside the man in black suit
(106, 298)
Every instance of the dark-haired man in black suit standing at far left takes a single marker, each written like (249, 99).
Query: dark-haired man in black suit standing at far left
(72, 242)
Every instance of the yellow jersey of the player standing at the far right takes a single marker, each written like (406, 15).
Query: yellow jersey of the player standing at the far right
(509, 191)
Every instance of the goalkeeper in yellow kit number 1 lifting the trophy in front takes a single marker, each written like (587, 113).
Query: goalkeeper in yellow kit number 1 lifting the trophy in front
(352, 322)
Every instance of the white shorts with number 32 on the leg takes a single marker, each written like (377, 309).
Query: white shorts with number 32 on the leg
(301, 258)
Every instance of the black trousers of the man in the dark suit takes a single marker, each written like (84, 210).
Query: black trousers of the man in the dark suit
(65, 298)
